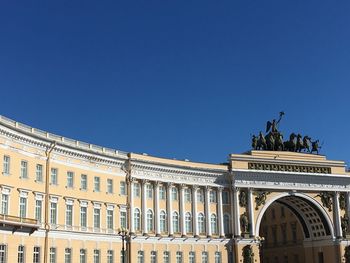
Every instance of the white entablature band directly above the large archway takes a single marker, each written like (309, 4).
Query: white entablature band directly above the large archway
(289, 180)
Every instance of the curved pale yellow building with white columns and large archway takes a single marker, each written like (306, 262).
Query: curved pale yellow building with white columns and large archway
(64, 200)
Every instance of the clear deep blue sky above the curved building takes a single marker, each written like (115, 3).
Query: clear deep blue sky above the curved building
(178, 79)
